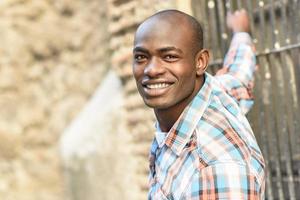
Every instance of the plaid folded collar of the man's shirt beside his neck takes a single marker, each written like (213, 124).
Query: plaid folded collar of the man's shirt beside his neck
(181, 132)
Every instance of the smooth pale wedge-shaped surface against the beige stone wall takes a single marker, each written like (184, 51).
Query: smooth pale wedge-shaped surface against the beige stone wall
(96, 159)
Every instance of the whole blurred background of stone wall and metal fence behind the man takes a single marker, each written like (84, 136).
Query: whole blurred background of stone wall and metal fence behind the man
(72, 125)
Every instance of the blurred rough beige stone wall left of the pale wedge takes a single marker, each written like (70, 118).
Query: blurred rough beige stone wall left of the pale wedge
(53, 54)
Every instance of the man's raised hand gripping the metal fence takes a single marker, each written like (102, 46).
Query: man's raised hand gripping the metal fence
(238, 21)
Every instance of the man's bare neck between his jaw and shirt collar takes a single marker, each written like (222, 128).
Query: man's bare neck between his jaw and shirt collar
(167, 117)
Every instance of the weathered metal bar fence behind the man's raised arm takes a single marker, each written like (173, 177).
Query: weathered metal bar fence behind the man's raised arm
(275, 118)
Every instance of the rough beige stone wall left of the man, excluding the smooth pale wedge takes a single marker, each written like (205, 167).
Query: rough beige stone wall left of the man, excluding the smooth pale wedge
(53, 55)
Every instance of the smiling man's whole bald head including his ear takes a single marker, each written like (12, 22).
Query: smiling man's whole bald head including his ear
(168, 61)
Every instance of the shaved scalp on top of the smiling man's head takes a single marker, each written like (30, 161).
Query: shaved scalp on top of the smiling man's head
(176, 19)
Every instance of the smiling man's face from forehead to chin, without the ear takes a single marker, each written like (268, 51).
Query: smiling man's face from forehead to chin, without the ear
(164, 64)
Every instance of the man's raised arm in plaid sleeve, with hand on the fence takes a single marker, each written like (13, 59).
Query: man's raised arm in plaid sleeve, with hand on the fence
(237, 74)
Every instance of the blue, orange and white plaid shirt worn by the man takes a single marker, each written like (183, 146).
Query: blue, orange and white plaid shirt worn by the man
(211, 152)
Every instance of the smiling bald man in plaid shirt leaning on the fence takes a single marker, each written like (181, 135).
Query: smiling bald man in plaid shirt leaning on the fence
(204, 147)
